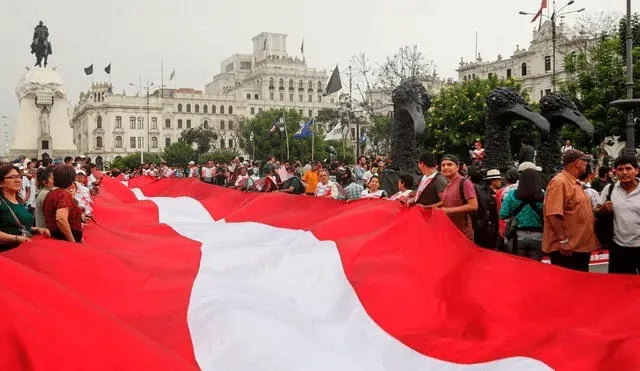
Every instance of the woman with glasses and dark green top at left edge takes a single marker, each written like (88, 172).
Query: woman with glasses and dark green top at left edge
(16, 222)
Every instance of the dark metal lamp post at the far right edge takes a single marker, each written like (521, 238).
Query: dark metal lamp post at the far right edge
(629, 103)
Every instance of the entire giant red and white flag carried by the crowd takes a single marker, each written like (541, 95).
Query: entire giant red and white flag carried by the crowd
(180, 275)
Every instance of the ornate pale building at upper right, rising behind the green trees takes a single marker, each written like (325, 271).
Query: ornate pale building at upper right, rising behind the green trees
(532, 67)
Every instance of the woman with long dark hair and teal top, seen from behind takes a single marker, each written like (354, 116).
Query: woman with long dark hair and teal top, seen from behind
(524, 204)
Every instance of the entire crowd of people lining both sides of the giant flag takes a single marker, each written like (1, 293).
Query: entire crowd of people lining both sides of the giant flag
(565, 216)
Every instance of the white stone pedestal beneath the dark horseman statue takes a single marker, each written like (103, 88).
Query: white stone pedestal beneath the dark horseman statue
(43, 121)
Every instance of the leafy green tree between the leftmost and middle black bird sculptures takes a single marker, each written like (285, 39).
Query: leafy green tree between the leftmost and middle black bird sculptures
(458, 115)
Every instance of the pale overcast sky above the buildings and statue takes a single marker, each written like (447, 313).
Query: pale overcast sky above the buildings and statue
(193, 36)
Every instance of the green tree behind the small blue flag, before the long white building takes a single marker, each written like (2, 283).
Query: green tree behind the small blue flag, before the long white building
(268, 143)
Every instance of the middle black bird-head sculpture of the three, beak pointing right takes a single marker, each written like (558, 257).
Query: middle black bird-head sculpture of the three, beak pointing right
(504, 106)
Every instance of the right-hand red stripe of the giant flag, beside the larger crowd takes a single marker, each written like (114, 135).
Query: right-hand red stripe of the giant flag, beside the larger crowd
(422, 282)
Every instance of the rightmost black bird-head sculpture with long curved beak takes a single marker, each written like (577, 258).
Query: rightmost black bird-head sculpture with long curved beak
(559, 110)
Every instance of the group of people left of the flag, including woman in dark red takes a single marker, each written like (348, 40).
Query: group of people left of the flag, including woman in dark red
(40, 197)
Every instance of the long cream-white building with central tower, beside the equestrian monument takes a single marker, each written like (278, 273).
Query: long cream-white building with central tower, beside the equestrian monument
(107, 125)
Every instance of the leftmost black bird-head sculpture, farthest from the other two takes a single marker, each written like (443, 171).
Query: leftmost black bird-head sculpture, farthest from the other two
(410, 101)
